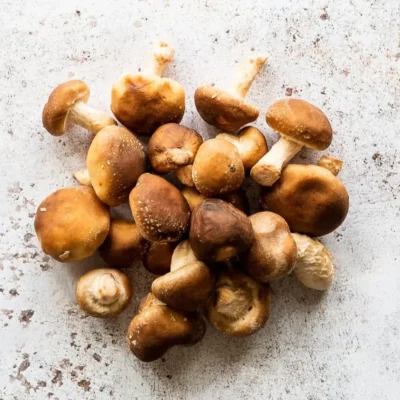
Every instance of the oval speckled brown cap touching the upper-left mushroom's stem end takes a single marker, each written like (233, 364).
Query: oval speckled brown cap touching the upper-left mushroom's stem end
(115, 161)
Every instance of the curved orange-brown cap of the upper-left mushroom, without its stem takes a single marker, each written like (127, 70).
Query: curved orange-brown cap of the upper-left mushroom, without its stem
(61, 99)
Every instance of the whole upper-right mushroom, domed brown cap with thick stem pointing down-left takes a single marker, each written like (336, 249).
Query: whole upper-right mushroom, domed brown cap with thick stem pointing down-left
(300, 124)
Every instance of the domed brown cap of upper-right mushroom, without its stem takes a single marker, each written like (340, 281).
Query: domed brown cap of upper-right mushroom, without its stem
(300, 122)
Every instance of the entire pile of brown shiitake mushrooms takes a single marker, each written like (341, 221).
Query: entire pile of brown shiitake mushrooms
(212, 260)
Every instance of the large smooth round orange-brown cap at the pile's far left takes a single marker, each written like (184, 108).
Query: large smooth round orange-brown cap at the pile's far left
(72, 223)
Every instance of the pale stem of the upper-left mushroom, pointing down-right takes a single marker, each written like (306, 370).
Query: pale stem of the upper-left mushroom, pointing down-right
(89, 118)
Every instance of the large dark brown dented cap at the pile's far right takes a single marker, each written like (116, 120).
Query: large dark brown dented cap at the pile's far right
(310, 198)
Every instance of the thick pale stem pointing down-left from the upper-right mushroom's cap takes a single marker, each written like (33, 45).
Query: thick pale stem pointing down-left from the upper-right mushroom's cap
(268, 170)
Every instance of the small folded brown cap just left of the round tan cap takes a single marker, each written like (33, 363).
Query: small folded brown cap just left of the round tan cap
(173, 146)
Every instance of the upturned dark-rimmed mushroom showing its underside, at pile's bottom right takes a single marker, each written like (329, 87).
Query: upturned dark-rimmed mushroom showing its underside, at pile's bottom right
(239, 306)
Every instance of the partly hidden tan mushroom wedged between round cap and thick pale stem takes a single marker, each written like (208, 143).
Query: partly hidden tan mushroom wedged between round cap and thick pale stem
(250, 143)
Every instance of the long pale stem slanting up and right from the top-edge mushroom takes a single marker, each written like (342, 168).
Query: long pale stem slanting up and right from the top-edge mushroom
(244, 76)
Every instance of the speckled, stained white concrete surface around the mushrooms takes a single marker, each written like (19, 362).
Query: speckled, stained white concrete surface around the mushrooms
(343, 56)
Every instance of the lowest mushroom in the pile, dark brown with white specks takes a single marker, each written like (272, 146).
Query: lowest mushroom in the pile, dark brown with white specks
(158, 327)
